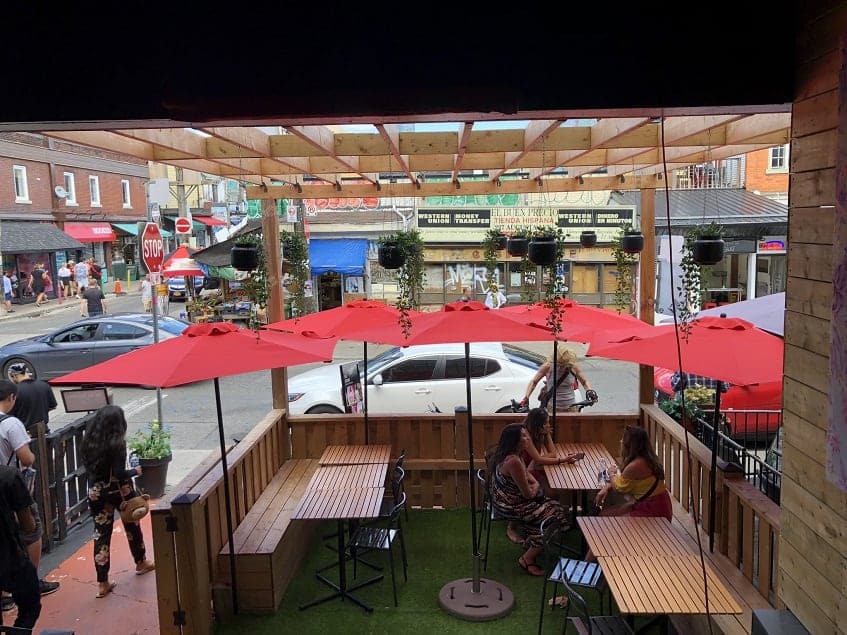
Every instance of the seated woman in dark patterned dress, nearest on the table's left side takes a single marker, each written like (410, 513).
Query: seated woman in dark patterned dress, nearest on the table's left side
(516, 494)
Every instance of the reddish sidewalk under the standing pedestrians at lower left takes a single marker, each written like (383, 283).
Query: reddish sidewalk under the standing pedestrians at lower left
(130, 608)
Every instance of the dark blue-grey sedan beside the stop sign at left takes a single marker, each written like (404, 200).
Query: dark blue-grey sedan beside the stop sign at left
(86, 342)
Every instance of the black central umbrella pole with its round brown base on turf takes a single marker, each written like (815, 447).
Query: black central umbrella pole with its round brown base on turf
(475, 599)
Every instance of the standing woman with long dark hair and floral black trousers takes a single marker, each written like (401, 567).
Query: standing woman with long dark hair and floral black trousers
(104, 457)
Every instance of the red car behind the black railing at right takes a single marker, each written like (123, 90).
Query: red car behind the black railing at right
(752, 412)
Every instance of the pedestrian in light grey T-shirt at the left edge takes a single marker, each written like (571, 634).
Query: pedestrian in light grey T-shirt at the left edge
(15, 451)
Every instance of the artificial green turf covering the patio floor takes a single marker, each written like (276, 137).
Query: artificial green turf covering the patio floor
(439, 550)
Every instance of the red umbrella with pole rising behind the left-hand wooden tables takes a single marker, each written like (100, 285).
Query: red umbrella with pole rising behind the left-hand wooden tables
(340, 321)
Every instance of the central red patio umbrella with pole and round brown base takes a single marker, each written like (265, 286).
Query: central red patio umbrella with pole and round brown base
(464, 322)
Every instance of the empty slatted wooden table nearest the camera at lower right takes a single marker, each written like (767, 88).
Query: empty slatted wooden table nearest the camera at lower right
(651, 570)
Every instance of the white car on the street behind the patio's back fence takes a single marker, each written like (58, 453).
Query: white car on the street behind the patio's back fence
(428, 378)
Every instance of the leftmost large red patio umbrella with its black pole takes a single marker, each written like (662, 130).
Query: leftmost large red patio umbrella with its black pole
(206, 351)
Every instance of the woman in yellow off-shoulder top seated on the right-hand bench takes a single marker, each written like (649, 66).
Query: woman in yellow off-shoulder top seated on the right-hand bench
(642, 478)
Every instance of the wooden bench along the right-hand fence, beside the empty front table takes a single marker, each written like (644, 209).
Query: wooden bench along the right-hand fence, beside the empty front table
(747, 596)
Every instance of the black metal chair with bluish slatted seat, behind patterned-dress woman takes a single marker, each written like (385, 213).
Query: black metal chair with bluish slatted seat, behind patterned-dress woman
(588, 575)
